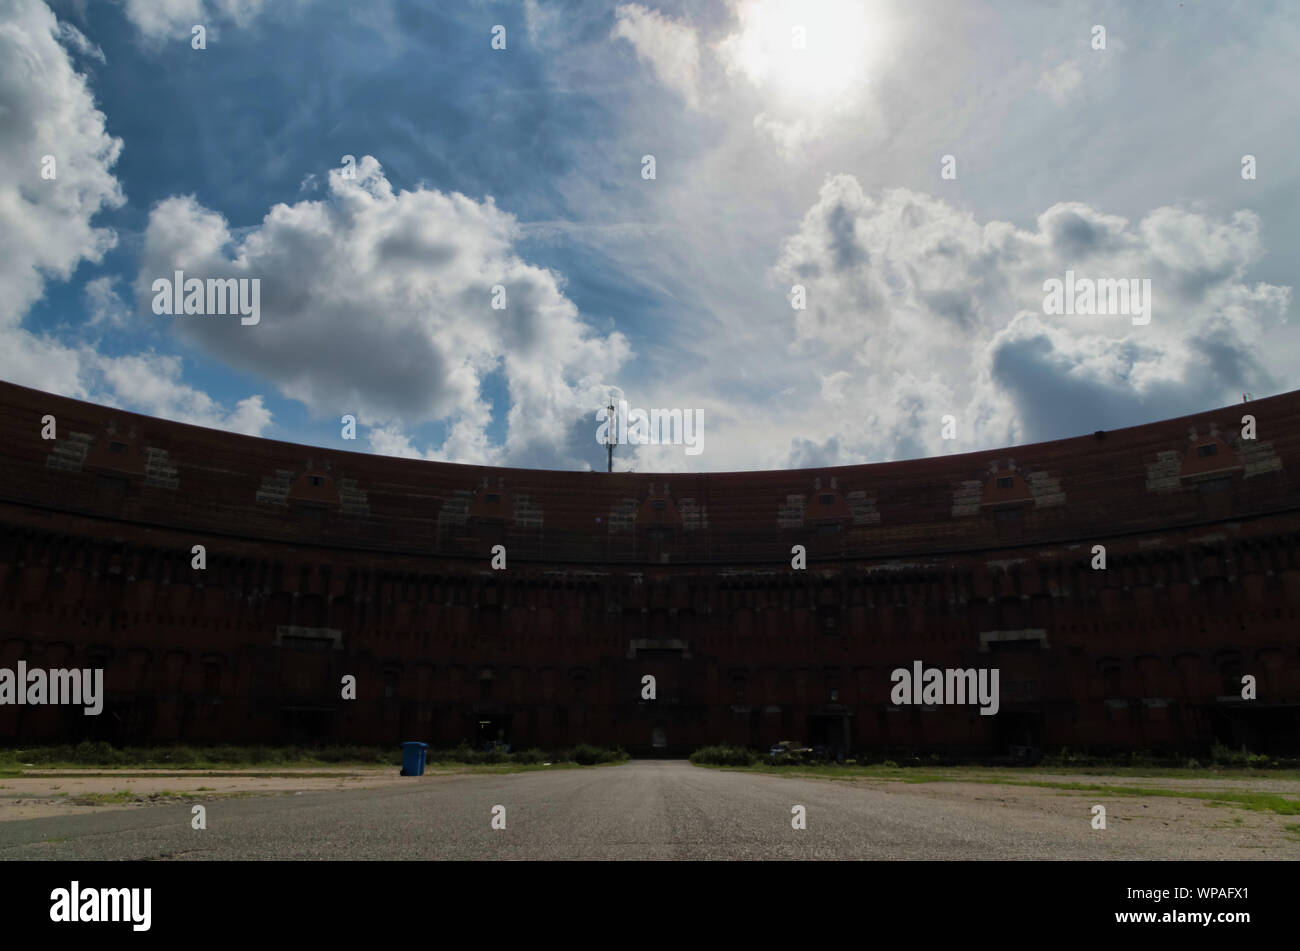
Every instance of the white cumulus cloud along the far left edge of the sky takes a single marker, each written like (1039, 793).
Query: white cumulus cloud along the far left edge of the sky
(46, 229)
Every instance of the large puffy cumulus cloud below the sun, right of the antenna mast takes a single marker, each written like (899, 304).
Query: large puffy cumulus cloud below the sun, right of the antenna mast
(916, 311)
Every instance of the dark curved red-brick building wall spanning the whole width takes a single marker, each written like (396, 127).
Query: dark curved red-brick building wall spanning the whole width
(324, 563)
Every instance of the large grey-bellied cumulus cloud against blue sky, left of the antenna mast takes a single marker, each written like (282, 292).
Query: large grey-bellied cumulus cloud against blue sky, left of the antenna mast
(380, 303)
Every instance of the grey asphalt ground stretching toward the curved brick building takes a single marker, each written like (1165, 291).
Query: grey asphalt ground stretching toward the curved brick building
(660, 811)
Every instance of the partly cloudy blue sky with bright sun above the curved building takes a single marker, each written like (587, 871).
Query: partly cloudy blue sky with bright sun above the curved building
(825, 227)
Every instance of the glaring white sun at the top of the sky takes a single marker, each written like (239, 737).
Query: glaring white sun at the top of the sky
(813, 51)
